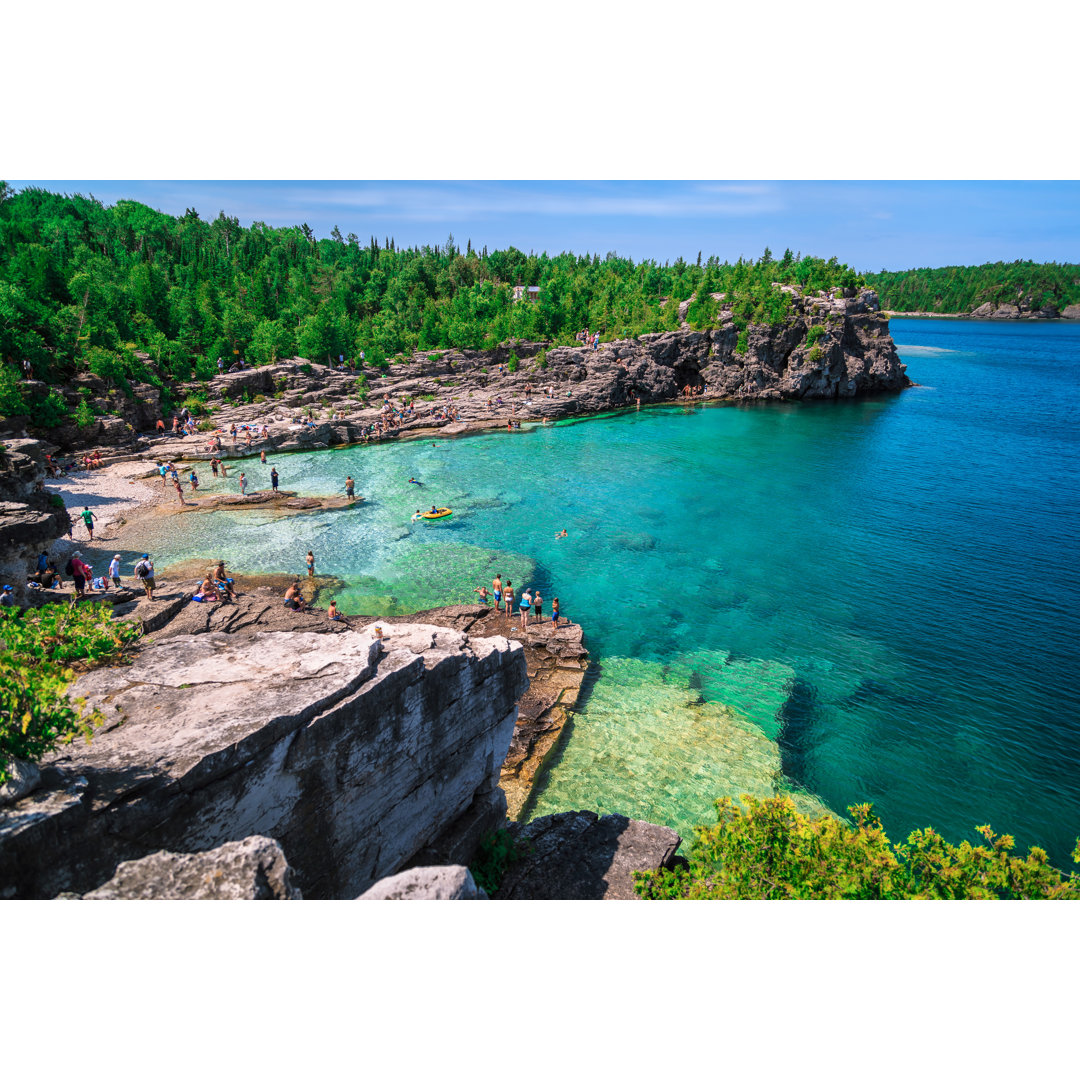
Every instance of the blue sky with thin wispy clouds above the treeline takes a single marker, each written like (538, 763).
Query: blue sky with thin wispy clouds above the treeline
(871, 225)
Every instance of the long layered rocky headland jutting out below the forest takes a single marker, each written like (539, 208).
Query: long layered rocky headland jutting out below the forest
(832, 346)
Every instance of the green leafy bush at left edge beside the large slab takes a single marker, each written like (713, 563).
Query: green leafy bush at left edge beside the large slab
(35, 712)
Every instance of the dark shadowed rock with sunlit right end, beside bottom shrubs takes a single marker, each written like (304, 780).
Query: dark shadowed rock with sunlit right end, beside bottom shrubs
(579, 856)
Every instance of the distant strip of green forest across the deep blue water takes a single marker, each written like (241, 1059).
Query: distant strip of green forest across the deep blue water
(961, 290)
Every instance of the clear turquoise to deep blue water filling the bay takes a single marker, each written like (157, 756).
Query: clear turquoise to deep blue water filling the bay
(871, 601)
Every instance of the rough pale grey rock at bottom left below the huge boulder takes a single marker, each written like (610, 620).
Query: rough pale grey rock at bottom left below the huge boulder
(253, 869)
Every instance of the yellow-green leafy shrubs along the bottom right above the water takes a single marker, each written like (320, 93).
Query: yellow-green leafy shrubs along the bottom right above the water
(771, 852)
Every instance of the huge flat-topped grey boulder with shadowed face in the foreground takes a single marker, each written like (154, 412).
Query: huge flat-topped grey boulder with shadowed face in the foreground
(353, 752)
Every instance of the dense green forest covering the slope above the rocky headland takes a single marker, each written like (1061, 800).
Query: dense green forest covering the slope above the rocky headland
(85, 288)
